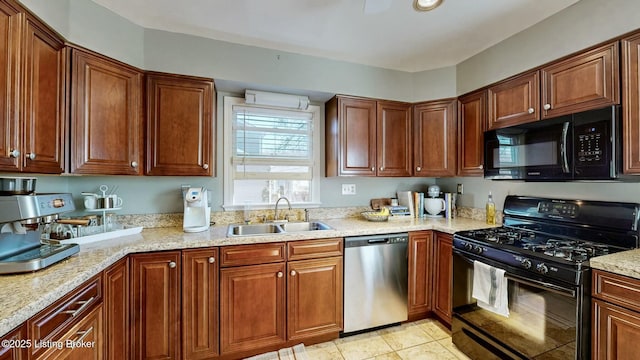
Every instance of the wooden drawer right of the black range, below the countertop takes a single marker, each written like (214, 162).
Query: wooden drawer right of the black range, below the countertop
(617, 289)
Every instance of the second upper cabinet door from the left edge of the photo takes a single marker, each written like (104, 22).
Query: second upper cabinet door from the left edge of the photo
(43, 104)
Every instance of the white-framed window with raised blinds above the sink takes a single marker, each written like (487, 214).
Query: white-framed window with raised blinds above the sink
(269, 153)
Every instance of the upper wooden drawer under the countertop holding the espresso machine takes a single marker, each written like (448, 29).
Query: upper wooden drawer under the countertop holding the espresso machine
(50, 323)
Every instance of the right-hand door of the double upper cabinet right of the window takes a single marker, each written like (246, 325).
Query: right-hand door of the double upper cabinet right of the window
(394, 150)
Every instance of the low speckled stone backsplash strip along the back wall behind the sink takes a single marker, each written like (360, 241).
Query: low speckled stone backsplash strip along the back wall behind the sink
(234, 217)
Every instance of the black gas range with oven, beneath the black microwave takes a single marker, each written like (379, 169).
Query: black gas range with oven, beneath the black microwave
(544, 247)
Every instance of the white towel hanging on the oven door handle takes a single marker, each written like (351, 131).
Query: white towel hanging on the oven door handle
(490, 288)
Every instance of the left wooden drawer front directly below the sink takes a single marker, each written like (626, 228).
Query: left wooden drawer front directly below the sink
(252, 254)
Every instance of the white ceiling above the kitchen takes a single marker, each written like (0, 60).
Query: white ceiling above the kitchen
(390, 35)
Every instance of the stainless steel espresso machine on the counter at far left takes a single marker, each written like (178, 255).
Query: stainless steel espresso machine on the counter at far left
(21, 219)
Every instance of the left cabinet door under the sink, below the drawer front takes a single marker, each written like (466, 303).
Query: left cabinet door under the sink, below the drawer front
(252, 307)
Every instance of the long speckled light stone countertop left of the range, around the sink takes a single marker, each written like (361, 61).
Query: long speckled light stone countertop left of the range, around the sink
(24, 295)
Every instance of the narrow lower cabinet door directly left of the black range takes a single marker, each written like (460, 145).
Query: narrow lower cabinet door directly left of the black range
(443, 276)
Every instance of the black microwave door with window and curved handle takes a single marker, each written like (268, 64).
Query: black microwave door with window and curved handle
(534, 151)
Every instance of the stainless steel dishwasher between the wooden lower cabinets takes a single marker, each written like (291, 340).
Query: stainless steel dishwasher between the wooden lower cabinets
(375, 281)
